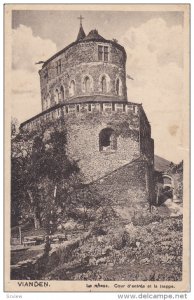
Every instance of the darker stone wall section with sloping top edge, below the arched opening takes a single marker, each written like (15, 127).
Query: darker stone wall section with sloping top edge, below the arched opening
(126, 186)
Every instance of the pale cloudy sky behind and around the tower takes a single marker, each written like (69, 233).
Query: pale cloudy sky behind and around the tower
(154, 46)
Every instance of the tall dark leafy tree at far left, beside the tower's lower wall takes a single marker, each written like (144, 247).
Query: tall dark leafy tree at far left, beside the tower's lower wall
(36, 174)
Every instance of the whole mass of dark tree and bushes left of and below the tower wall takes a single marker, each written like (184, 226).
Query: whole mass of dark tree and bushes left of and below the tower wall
(47, 186)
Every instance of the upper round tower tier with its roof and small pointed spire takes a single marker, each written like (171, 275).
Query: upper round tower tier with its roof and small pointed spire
(90, 66)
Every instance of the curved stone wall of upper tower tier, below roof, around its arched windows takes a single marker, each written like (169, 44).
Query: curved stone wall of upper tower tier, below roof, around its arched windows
(77, 62)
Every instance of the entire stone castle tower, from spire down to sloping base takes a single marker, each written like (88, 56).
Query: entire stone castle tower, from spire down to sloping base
(84, 85)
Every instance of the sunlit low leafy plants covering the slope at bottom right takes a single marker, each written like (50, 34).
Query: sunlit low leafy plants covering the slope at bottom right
(152, 252)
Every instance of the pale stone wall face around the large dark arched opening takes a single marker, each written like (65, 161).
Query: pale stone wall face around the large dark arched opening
(83, 142)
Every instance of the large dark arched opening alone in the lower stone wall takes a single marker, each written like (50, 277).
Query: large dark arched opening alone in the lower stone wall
(107, 140)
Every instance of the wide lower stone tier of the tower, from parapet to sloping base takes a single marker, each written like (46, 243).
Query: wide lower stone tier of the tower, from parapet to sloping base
(118, 174)
